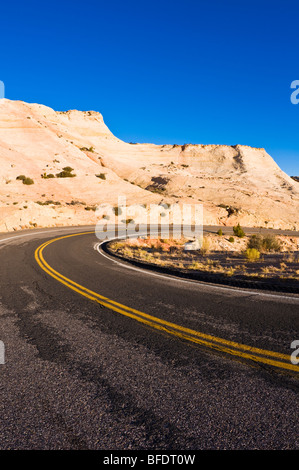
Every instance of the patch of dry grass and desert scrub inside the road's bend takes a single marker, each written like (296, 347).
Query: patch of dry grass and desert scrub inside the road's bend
(257, 256)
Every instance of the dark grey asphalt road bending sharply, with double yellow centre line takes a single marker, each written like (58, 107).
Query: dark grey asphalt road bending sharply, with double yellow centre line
(101, 356)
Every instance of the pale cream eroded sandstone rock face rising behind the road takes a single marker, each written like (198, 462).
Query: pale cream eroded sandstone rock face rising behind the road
(234, 183)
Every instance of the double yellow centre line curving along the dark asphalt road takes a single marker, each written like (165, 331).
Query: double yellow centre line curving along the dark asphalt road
(210, 341)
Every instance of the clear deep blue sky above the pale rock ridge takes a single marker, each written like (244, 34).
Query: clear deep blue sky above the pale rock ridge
(162, 71)
